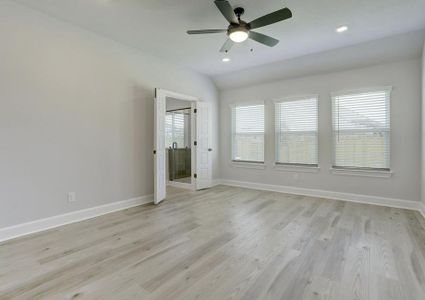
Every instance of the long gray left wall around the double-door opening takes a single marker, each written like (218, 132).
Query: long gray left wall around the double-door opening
(77, 116)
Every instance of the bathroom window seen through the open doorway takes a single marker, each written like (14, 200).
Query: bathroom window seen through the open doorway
(175, 129)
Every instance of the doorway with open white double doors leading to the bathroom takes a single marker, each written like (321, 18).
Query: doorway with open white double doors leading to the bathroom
(182, 140)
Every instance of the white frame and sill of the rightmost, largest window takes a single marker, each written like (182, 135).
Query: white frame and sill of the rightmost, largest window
(362, 171)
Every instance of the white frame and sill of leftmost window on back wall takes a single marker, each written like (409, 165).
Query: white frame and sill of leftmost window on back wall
(246, 163)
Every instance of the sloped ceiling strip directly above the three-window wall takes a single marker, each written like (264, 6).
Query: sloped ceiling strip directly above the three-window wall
(386, 50)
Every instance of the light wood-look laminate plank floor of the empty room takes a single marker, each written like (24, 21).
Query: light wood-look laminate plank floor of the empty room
(224, 243)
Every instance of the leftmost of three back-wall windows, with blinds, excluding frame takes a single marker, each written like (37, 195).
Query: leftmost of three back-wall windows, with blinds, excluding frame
(248, 133)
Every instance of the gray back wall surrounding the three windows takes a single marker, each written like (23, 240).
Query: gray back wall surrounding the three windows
(404, 76)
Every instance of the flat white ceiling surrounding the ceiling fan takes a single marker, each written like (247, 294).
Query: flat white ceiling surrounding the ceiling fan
(159, 26)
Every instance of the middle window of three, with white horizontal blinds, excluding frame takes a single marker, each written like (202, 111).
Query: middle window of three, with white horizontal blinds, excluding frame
(296, 131)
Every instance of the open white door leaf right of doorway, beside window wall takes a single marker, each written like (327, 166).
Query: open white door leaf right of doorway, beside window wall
(204, 147)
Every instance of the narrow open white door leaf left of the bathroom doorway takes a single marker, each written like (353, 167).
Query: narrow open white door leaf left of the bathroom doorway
(159, 144)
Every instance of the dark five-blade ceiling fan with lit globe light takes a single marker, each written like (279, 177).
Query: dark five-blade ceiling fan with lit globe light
(238, 30)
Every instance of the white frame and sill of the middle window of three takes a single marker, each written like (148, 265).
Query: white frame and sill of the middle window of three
(295, 167)
